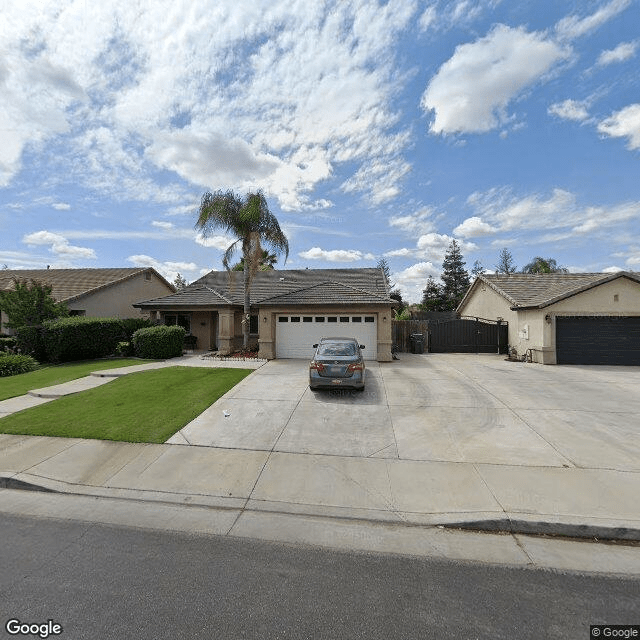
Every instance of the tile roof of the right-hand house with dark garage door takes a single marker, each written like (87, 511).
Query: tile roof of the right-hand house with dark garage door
(538, 290)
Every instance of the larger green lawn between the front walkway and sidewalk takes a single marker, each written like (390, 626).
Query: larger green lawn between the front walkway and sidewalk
(149, 406)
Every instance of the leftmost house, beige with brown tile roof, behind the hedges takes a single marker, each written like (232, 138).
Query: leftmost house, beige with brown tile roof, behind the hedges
(105, 293)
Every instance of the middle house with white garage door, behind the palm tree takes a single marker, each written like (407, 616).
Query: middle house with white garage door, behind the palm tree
(290, 310)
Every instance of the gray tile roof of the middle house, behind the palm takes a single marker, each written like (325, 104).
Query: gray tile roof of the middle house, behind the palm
(282, 288)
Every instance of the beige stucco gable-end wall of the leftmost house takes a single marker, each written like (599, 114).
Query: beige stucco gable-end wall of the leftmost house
(117, 300)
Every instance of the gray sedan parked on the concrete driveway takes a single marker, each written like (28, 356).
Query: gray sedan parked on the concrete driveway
(337, 362)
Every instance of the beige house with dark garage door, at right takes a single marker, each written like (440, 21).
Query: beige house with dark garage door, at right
(563, 318)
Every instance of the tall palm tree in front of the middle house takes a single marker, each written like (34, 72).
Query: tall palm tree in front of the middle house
(251, 222)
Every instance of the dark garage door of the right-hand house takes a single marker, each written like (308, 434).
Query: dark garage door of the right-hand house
(598, 340)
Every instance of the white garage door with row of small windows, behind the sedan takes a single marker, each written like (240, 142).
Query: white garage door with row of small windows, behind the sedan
(296, 334)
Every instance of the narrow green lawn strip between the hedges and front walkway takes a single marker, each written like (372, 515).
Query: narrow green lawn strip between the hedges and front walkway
(12, 386)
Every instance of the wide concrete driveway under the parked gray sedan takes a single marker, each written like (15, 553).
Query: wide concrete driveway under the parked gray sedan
(437, 407)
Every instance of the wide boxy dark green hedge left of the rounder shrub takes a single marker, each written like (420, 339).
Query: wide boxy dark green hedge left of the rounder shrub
(81, 338)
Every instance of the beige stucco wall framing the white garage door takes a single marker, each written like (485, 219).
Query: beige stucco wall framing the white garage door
(267, 326)
